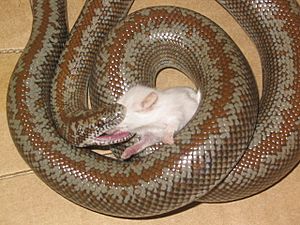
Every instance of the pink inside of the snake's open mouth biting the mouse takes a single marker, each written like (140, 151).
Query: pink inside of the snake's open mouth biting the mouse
(114, 137)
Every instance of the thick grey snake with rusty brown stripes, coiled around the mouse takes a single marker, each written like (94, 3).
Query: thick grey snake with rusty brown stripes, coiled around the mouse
(228, 151)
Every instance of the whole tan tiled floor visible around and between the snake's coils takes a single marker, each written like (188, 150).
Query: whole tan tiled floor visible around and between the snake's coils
(26, 200)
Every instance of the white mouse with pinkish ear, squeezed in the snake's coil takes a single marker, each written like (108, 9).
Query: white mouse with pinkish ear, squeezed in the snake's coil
(155, 115)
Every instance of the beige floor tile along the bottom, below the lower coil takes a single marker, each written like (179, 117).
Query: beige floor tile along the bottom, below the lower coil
(26, 200)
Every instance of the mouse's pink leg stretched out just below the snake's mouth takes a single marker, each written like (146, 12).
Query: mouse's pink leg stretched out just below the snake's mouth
(146, 140)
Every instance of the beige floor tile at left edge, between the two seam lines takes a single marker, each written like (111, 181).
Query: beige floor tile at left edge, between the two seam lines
(10, 161)
